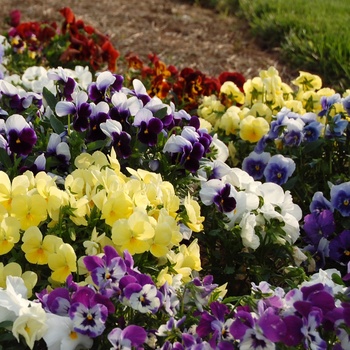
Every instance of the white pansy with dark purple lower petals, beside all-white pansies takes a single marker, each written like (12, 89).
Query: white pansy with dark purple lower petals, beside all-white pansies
(220, 193)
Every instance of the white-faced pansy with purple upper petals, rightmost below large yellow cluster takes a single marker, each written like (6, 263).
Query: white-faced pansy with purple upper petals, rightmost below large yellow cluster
(144, 298)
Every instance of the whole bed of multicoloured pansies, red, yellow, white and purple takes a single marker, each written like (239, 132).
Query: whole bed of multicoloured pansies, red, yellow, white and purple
(165, 209)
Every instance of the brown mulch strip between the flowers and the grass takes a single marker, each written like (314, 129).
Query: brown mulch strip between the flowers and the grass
(181, 34)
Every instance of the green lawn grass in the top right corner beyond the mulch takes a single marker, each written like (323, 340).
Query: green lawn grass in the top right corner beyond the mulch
(312, 35)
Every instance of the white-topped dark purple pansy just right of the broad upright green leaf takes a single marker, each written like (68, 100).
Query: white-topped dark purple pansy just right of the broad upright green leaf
(80, 109)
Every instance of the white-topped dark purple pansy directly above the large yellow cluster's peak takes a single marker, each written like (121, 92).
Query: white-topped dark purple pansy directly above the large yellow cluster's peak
(120, 140)
